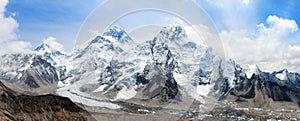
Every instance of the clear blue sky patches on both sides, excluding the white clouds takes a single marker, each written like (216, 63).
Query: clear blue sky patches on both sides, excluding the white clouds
(39, 19)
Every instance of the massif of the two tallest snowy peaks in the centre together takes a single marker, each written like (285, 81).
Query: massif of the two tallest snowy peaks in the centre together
(102, 66)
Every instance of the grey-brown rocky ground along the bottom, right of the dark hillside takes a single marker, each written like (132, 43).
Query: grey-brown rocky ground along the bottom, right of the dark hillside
(223, 111)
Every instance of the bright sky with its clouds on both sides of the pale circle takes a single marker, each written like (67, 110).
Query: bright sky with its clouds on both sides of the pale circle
(262, 32)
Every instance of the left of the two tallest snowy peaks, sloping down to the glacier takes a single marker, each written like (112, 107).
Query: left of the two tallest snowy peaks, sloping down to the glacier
(93, 65)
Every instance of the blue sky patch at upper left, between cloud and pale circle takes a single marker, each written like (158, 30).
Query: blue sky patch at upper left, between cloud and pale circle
(39, 19)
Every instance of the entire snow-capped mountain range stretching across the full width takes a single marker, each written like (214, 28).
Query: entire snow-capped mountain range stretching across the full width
(166, 69)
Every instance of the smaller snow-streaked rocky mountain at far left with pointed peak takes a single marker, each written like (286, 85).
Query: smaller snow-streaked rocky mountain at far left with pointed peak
(38, 71)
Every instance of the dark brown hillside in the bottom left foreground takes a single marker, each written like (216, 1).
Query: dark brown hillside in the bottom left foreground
(15, 106)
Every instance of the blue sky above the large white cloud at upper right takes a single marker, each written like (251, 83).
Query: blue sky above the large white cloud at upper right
(255, 12)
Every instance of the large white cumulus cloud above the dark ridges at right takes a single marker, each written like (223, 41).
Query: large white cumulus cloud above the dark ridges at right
(267, 47)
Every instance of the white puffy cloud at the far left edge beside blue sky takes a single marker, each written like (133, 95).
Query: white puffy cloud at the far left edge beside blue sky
(8, 38)
